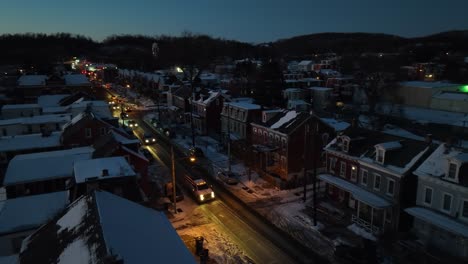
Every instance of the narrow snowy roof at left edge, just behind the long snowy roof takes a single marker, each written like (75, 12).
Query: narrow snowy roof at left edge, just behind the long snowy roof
(32, 141)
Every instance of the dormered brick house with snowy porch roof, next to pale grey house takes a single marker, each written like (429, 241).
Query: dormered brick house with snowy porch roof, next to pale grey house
(369, 177)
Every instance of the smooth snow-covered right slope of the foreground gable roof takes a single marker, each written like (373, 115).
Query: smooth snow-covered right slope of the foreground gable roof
(138, 234)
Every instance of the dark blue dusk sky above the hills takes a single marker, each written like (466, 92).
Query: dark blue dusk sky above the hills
(244, 20)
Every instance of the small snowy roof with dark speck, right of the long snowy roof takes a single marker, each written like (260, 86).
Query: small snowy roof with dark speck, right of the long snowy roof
(95, 168)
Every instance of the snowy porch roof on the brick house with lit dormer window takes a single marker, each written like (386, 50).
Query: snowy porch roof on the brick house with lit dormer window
(358, 192)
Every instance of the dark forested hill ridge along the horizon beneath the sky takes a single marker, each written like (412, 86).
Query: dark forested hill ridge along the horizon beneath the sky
(134, 51)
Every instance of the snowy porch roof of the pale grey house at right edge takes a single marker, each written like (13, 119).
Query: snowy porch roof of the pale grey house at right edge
(439, 220)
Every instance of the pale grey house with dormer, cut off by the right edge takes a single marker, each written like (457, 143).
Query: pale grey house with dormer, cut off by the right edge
(441, 210)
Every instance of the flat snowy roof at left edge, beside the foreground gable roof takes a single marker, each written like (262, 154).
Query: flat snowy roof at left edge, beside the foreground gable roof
(28, 212)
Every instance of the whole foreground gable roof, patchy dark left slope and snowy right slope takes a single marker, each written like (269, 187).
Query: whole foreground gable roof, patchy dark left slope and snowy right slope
(104, 227)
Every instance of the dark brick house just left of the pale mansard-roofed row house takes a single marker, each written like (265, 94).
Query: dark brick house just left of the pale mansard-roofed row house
(206, 112)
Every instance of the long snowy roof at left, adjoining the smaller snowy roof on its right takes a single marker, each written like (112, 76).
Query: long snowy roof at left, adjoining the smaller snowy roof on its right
(44, 165)
